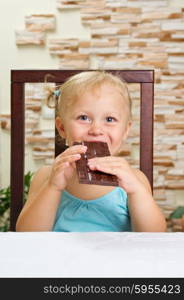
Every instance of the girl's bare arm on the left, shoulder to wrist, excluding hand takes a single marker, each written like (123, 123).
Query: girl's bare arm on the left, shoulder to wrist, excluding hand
(38, 213)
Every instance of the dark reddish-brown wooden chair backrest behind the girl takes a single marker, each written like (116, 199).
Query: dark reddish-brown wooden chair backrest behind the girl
(18, 79)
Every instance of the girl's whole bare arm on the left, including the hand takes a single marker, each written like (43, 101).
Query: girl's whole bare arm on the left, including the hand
(44, 196)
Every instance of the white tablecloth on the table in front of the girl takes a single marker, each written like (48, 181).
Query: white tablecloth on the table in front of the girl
(102, 254)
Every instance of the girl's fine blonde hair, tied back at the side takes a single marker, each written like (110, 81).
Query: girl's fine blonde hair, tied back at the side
(82, 82)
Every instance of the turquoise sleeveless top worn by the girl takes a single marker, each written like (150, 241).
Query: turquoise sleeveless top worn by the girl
(106, 213)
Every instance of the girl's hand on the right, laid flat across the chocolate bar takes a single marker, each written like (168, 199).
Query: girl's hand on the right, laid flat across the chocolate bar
(118, 166)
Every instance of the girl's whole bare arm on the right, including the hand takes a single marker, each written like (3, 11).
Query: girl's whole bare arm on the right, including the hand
(144, 211)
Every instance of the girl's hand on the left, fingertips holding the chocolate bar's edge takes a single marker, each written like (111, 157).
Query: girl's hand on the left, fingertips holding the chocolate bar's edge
(64, 166)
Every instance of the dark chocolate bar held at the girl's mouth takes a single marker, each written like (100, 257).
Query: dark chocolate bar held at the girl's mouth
(87, 176)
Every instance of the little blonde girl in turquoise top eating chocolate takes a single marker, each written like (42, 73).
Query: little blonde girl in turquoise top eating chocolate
(93, 106)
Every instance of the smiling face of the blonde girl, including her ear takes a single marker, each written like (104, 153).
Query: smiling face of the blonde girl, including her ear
(98, 115)
